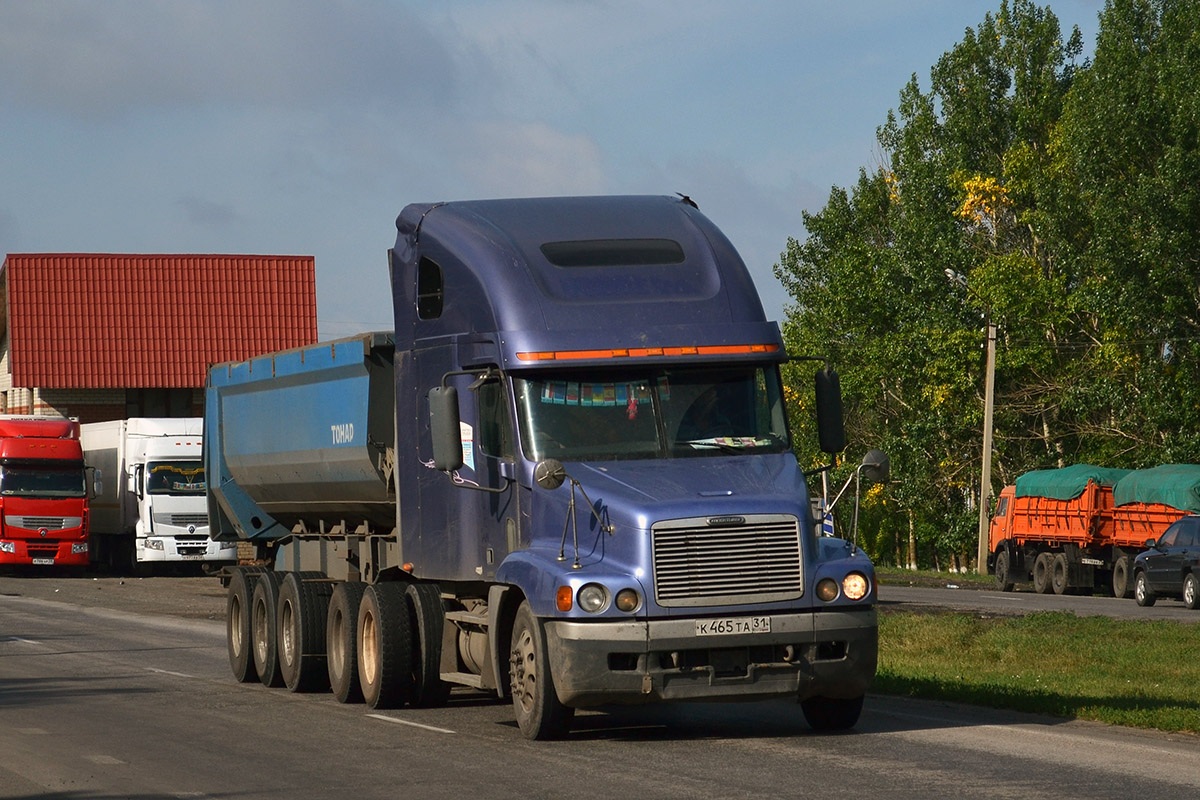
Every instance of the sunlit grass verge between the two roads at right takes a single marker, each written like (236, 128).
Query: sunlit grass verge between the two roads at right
(1130, 673)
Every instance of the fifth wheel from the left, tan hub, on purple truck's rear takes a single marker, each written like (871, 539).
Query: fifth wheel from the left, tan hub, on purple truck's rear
(385, 641)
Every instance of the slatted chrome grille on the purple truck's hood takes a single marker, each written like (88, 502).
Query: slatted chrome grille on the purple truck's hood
(703, 564)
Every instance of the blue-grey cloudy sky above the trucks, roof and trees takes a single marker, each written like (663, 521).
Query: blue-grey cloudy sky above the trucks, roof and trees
(304, 127)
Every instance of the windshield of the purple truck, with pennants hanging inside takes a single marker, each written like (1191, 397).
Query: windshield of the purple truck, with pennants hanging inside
(667, 413)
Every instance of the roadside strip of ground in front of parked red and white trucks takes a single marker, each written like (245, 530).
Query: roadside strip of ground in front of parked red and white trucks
(193, 598)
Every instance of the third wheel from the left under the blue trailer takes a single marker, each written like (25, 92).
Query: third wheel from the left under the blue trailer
(303, 611)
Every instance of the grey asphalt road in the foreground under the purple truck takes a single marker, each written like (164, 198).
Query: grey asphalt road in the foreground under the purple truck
(104, 705)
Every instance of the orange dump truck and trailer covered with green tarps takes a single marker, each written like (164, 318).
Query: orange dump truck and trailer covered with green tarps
(1079, 528)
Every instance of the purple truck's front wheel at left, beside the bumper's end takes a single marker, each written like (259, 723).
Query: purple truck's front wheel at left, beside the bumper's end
(541, 715)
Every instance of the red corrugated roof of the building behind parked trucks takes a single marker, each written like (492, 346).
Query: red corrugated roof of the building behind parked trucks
(85, 321)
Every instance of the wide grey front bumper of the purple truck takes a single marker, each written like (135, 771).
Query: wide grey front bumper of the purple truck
(824, 654)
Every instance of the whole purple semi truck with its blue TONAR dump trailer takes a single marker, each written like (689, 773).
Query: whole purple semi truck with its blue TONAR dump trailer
(565, 478)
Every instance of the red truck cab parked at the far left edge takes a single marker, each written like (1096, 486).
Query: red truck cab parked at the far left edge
(44, 492)
